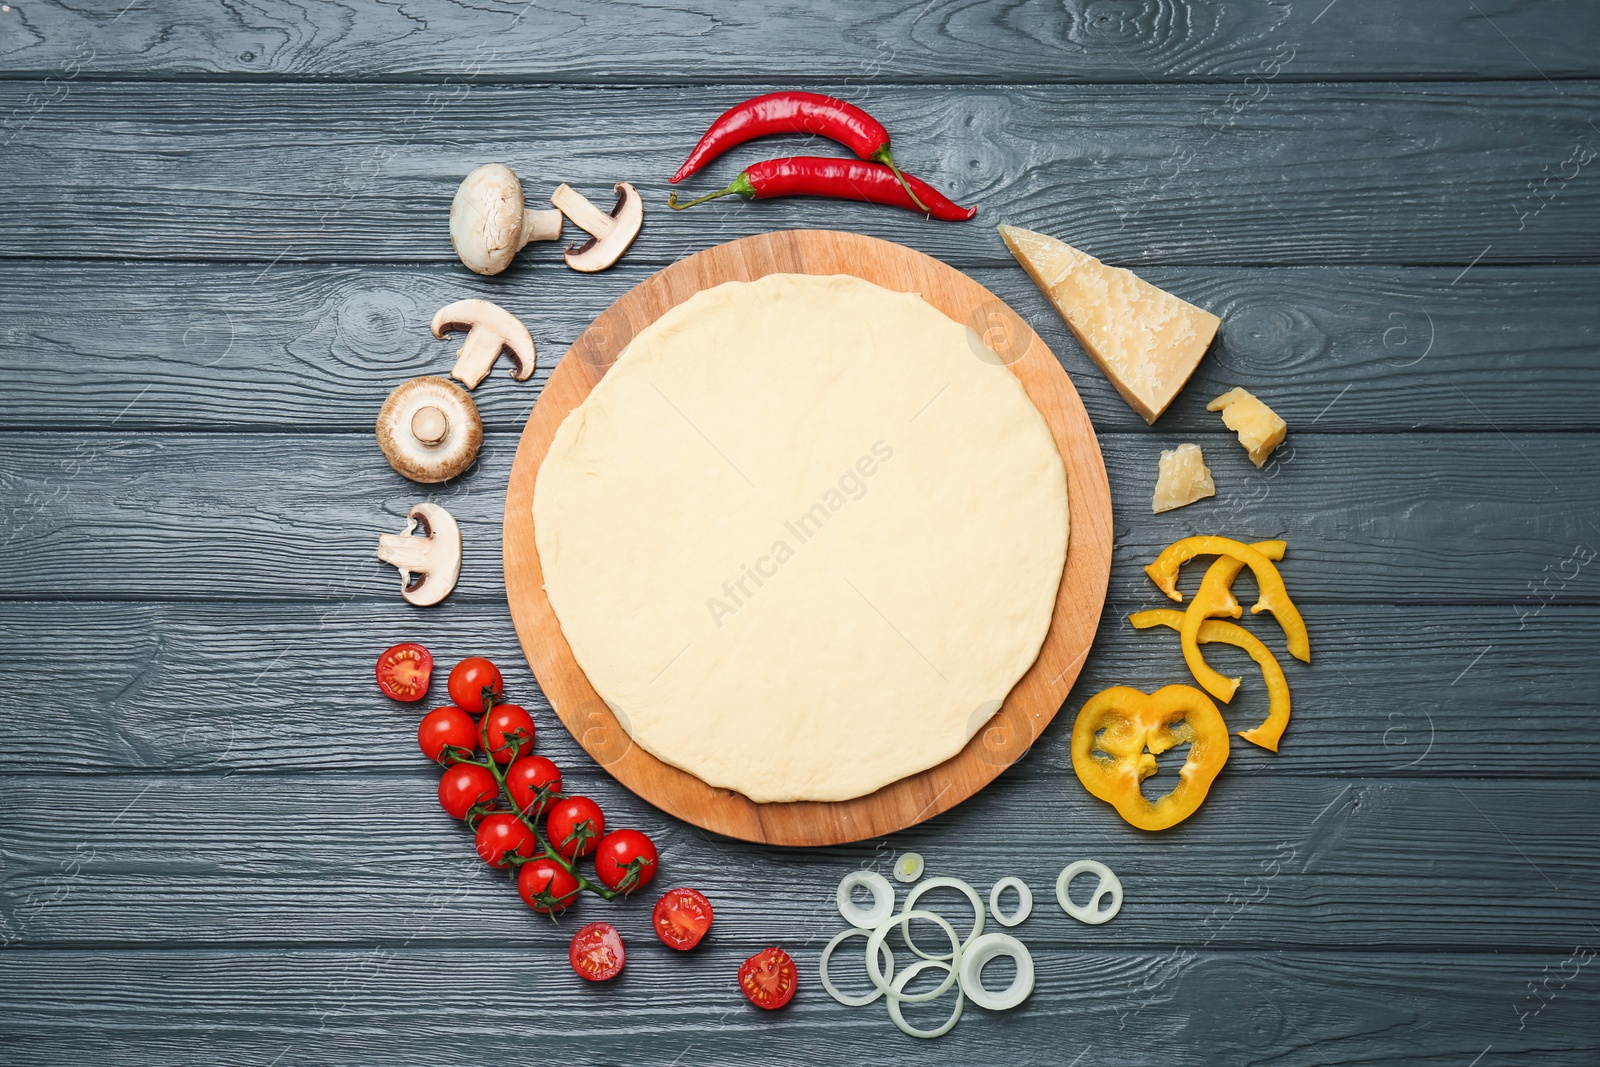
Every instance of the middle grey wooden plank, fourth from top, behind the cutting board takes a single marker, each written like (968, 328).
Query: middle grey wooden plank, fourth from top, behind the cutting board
(1372, 519)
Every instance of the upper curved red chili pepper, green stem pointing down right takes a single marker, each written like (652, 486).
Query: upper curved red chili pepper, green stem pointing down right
(796, 113)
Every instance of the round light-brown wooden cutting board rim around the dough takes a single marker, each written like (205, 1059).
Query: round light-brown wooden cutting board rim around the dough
(1036, 698)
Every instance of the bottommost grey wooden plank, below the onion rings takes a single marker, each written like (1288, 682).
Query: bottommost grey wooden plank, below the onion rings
(505, 1002)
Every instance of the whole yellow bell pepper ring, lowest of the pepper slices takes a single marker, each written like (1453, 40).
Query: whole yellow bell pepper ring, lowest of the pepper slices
(1121, 732)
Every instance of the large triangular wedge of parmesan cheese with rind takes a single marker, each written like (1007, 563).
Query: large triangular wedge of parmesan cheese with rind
(1145, 340)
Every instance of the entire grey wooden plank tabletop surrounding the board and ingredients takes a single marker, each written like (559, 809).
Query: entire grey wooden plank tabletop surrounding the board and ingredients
(223, 236)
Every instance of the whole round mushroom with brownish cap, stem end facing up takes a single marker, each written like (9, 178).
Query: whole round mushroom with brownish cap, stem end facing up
(407, 412)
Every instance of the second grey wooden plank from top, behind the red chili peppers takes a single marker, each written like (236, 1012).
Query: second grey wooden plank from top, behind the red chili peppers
(1137, 175)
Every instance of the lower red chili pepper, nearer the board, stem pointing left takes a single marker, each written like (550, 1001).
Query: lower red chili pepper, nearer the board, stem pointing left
(830, 177)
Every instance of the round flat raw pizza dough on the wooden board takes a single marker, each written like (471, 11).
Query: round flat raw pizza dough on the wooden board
(804, 537)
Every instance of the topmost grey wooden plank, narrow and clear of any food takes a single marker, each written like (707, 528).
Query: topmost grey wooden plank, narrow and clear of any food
(906, 41)
